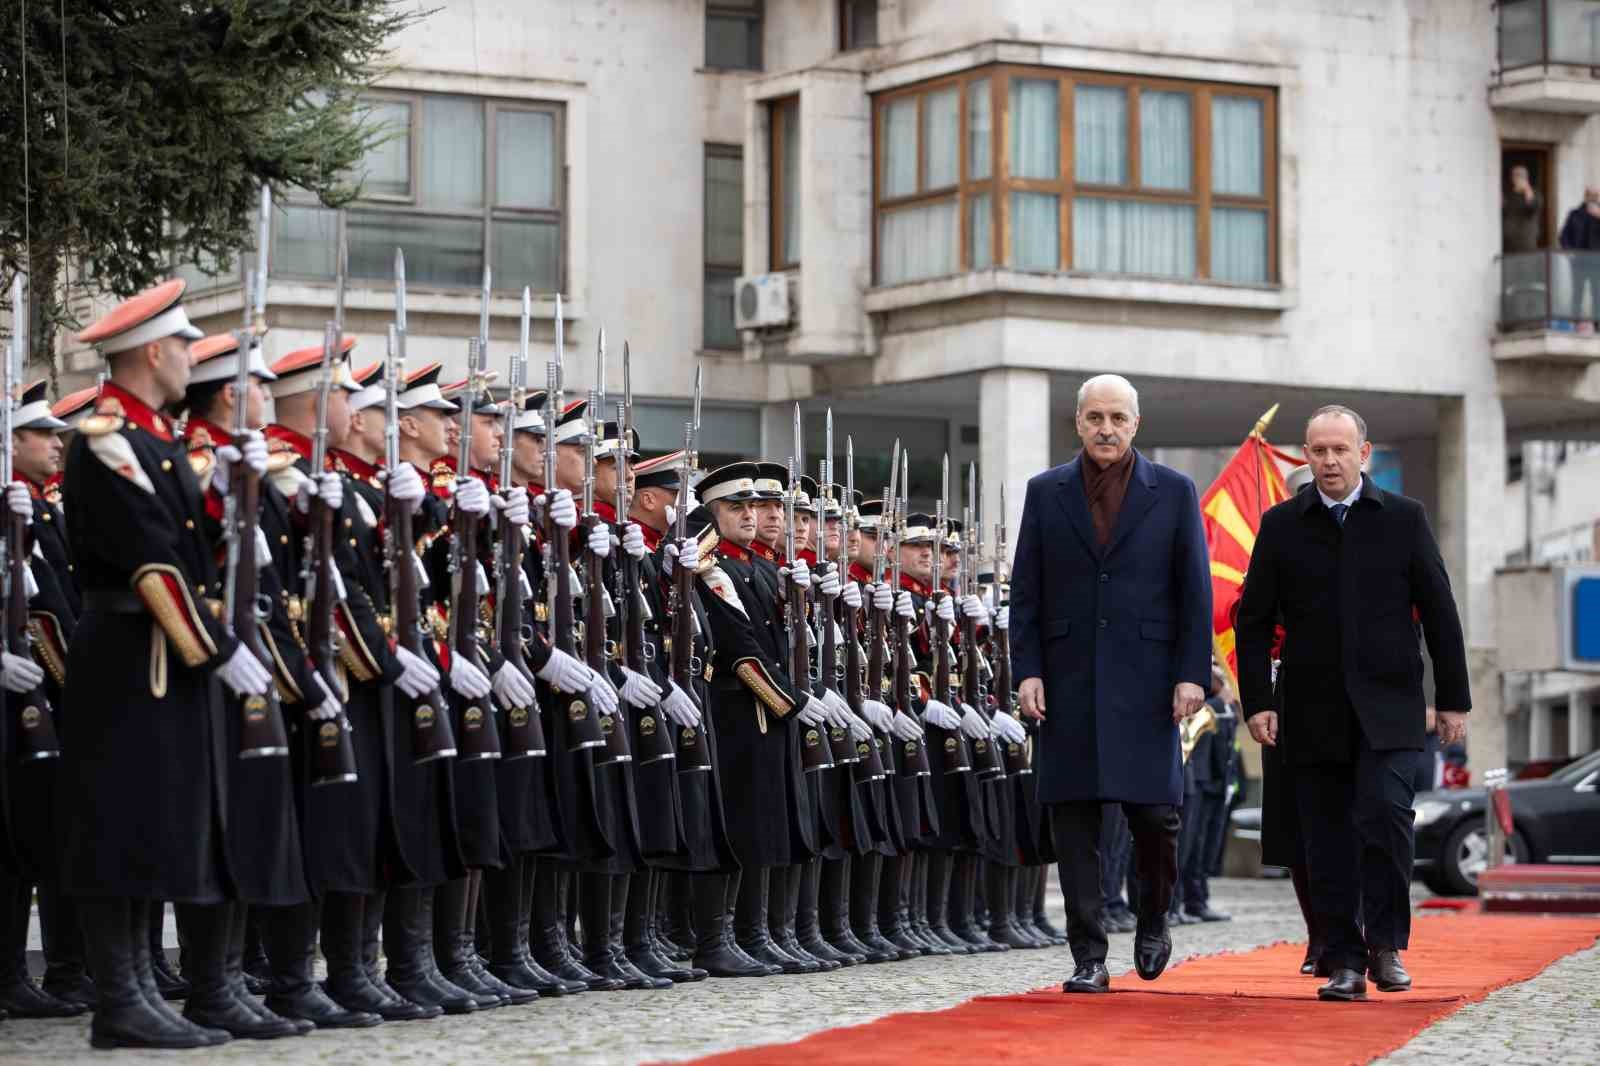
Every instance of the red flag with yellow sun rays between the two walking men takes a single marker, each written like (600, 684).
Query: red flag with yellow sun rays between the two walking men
(1231, 515)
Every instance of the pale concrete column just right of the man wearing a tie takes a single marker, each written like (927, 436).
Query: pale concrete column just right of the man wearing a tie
(1468, 524)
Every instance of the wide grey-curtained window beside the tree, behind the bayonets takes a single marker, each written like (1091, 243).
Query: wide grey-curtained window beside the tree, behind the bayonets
(460, 183)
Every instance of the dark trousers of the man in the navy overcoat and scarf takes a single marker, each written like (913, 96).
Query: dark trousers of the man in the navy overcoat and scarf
(1076, 830)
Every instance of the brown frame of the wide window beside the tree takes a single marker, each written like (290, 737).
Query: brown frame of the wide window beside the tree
(492, 210)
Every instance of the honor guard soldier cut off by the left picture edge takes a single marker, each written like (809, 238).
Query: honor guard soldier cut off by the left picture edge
(34, 824)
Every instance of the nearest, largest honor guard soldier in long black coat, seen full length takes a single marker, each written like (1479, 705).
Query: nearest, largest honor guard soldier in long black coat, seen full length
(140, 702)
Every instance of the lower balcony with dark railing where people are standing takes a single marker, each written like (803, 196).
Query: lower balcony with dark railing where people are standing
(1548, 307)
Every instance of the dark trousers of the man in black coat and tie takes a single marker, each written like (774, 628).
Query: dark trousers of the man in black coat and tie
(1358, 825)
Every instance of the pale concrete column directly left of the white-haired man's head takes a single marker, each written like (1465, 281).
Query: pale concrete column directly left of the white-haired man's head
(1014, 423)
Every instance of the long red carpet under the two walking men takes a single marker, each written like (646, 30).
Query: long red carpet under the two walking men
(1250, 1008)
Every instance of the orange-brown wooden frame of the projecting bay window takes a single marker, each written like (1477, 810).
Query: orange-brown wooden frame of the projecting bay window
(999, 185)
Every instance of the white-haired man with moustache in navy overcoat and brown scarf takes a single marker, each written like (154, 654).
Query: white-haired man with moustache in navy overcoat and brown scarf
(1111, 638)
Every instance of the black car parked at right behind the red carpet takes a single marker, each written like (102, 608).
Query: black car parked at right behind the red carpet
(1558, 820)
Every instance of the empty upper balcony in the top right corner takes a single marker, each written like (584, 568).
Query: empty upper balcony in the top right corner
(1550, 57)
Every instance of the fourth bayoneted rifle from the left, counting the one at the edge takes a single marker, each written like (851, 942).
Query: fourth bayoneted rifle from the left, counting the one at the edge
(433, 735)
